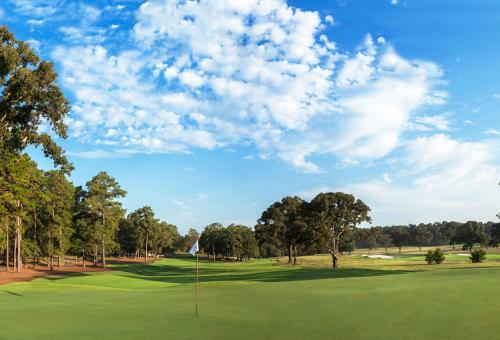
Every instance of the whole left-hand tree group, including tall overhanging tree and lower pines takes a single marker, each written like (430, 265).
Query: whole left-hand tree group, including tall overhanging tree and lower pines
(42, 214)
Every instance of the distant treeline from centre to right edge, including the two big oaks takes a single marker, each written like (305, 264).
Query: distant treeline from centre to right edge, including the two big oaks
(327, 224)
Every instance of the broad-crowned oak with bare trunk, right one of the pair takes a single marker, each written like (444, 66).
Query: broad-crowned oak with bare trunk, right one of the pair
(334, 214)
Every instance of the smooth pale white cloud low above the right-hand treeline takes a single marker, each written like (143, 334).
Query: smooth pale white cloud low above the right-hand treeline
(441, 179)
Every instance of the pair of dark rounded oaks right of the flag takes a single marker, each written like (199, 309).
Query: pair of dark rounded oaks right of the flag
(326, 223)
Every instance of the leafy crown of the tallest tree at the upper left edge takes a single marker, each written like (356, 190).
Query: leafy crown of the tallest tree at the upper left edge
(30, 97)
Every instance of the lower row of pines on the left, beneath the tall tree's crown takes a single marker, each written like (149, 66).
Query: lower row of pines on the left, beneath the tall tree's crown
(50, 217)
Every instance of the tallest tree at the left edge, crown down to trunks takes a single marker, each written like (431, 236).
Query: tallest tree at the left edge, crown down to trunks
(29, 98)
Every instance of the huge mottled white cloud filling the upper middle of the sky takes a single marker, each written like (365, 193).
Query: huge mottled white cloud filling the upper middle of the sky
(212, 74)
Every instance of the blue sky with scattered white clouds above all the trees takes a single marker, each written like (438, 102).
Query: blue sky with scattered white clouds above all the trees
(212, 110)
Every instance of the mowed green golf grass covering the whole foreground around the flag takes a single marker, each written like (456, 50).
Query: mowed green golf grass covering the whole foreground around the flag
(258, 300)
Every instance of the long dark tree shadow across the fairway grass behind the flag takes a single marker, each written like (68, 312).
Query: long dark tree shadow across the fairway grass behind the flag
(183, 274)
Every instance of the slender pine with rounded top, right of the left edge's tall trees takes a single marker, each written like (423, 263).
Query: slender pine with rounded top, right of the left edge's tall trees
(101, 200)
